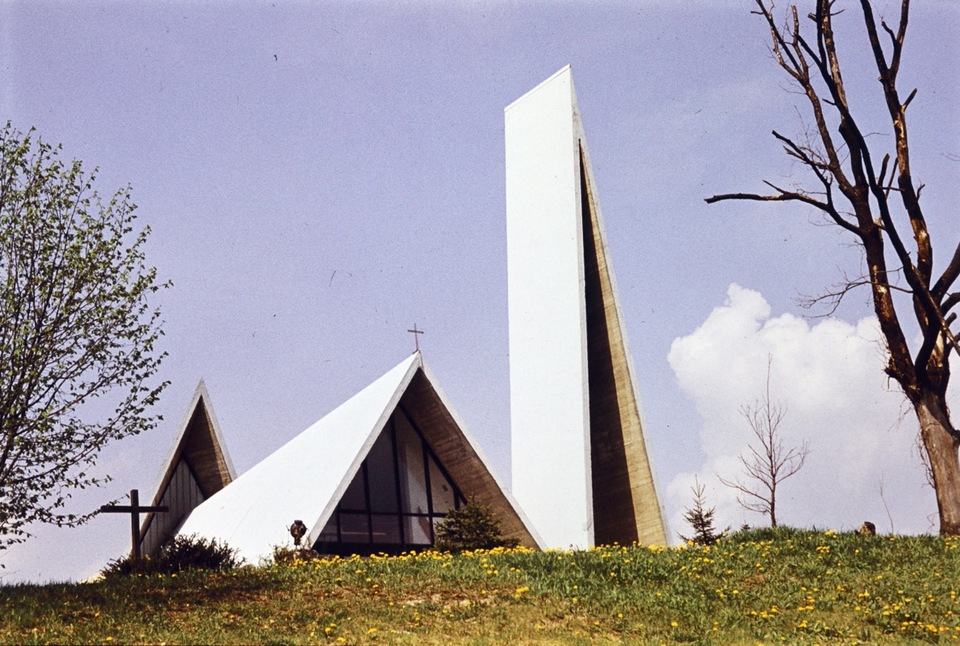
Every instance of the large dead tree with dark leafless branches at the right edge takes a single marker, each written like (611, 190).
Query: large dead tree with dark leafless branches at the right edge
(871, 193)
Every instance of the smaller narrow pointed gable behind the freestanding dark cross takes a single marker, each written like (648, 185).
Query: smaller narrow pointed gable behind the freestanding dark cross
(198, 467)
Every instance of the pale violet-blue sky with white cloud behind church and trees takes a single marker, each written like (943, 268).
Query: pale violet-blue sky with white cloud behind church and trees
(319, 177)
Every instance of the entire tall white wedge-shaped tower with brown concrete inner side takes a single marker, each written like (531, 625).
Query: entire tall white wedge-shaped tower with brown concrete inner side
(580, 465)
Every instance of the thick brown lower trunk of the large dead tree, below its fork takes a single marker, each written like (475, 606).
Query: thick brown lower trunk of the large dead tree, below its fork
(943, 449)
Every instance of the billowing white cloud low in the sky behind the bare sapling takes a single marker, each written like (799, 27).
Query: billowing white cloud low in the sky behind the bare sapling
(830, 378)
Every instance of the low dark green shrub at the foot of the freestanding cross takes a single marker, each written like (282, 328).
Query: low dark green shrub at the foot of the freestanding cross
(182, 553)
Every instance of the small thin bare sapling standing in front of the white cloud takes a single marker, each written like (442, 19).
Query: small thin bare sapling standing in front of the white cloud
(768, 464)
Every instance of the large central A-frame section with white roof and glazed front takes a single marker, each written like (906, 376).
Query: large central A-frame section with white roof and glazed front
(342, 476)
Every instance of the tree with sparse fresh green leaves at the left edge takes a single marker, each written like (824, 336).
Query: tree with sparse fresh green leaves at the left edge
(77, 331)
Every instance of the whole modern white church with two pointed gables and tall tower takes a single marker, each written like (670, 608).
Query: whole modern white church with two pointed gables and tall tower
(378, 473)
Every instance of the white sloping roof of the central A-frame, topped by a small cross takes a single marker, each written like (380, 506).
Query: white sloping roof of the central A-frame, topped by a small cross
(305, 478)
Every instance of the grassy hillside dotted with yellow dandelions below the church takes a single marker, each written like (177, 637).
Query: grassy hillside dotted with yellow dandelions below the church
(786, 586)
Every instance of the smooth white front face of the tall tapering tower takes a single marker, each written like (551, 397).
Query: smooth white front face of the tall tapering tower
(548, 348)
